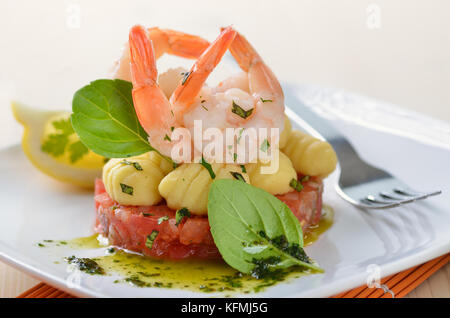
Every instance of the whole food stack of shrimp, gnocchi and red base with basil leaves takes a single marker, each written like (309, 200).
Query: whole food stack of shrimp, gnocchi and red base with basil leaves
(161, 205)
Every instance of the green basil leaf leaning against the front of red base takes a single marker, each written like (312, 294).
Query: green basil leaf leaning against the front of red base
(253, 230)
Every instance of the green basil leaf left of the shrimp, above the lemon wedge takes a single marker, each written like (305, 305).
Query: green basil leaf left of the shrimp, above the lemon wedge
(105, 120)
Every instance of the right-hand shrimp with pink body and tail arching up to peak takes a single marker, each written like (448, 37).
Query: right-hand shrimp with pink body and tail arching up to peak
(255, 90)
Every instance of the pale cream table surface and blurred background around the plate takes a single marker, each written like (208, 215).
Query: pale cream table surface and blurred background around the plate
(396, 51)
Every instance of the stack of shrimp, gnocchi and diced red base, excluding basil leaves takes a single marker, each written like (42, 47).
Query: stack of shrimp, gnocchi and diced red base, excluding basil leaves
(146, 205)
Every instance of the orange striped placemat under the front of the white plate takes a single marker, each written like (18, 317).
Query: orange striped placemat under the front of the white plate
(399, 284)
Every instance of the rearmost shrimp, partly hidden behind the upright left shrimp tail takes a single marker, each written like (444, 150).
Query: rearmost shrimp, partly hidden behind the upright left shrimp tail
(164, 41)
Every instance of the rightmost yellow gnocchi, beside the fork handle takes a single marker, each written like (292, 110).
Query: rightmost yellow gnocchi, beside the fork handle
(309, 155)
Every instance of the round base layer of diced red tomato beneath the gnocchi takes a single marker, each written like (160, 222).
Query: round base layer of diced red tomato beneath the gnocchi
(130, 226)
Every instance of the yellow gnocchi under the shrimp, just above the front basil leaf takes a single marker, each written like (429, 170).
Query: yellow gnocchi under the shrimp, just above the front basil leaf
(276, 183)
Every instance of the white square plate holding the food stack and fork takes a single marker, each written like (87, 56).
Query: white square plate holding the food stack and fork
(412, 147)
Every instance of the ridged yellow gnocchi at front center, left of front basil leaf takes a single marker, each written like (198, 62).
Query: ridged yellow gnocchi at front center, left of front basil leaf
(188, 185)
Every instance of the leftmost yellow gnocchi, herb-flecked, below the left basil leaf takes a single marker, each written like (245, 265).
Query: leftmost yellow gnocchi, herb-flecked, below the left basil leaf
(135, 180)
